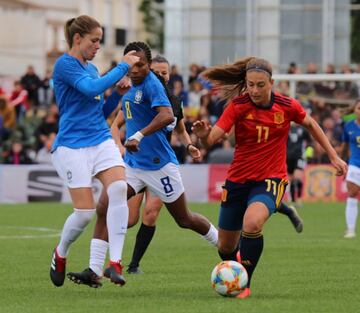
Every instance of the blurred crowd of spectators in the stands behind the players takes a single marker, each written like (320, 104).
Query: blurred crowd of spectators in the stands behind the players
(29, 114)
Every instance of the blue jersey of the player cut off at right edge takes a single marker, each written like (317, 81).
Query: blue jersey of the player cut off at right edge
(351, 135)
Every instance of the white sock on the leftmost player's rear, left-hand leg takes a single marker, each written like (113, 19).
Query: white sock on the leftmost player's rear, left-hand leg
(73, 227)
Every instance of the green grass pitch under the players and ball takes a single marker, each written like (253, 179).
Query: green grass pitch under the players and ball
(316, 271)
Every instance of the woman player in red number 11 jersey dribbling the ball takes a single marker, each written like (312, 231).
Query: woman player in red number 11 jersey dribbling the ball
(257, 177)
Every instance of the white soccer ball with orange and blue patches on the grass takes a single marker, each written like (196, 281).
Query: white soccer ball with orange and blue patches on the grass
(229, 278)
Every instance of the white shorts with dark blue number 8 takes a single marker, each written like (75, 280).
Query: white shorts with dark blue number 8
(166, 183)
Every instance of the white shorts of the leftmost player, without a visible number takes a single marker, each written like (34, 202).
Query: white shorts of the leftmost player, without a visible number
(77, 167)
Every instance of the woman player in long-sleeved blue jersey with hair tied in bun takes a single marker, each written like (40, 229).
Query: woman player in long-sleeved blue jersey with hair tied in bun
(84, 147)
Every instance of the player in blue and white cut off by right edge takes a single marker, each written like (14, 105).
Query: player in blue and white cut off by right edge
(351, 142)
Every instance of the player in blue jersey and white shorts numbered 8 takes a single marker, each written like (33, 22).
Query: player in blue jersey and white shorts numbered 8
(150, 161)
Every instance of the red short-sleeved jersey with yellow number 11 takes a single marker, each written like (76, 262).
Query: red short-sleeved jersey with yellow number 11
(261, 136)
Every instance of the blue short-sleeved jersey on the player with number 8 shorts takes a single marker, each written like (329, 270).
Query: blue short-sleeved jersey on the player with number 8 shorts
(139, 106)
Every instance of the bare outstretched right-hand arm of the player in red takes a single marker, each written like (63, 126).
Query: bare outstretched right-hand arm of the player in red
(318, 134)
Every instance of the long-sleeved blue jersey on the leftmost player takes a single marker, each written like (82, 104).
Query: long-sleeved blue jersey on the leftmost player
(79, 95)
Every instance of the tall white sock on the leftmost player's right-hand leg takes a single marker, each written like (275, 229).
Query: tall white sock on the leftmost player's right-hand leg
(117, 218)
